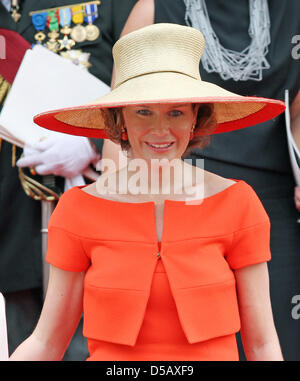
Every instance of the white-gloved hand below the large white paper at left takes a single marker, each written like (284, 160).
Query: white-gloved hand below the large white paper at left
(61, 155)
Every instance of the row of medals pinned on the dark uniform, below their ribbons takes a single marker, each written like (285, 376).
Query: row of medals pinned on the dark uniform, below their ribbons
(78, 33)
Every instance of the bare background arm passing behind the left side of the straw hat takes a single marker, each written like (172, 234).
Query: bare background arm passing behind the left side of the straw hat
(142, 14)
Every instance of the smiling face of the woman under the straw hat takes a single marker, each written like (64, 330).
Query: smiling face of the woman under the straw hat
(158, 131)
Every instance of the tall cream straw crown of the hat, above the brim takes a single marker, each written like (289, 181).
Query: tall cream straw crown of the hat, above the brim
(158, 48)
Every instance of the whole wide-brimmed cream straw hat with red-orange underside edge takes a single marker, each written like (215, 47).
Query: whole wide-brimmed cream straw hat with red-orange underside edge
(160, 64)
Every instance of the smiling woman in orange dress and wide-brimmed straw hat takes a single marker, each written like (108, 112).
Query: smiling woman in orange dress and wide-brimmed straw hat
(167, 262)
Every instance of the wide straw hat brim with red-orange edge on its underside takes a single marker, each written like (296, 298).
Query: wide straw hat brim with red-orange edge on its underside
(232, 111)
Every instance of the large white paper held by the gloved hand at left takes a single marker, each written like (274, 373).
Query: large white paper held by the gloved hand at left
(45, 81)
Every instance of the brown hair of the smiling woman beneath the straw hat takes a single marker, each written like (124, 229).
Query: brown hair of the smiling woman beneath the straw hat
(206, 122)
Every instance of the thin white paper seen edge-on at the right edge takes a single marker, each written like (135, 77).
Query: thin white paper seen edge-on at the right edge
(292, 146)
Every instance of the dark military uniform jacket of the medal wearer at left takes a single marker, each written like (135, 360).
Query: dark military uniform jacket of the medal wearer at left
(20, 221)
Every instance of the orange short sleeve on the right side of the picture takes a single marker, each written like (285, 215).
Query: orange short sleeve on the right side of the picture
(251, 240)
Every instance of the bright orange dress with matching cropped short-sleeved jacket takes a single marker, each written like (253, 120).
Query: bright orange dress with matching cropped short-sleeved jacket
(180, 305)
